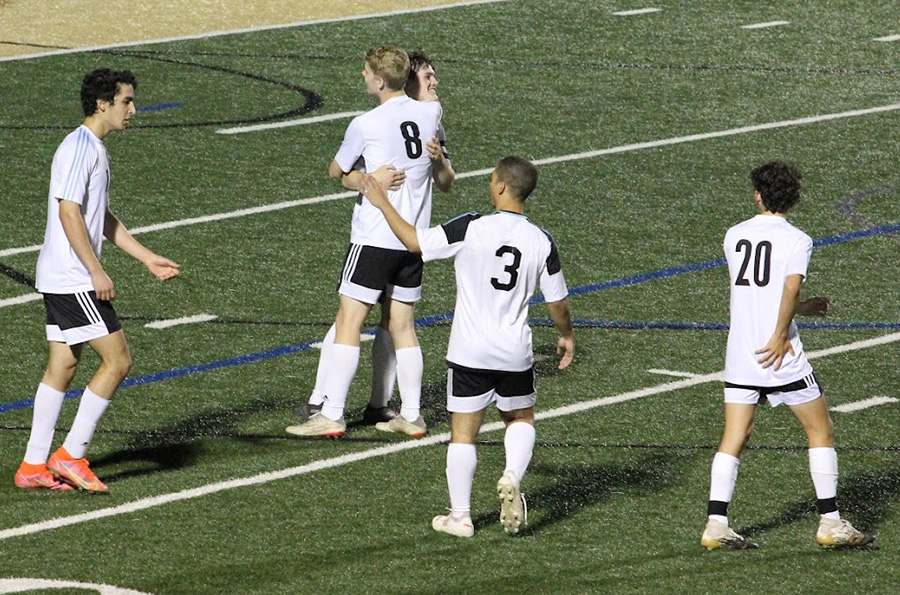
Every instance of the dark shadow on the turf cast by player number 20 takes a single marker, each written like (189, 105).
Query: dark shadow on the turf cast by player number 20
(865, 498)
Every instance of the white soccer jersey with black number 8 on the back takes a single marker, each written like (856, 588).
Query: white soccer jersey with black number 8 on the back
(393, 133)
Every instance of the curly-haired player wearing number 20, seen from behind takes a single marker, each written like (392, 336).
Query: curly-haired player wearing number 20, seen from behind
(767, 261)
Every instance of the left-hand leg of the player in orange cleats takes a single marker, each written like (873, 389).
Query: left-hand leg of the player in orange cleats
(62, 361)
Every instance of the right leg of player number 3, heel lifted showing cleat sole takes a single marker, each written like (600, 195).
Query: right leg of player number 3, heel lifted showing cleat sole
(516, 397)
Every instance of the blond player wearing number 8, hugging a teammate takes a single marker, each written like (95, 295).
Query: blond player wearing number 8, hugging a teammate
(377, 266)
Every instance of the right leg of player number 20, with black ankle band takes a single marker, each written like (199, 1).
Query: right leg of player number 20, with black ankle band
(823, 468)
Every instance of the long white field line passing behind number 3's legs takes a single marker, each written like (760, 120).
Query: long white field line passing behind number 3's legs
(322, 464)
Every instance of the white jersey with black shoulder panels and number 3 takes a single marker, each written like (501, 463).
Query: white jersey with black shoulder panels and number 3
(500, 259)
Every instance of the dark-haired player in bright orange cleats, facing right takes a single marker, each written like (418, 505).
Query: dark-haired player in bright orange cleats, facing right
(77, 290)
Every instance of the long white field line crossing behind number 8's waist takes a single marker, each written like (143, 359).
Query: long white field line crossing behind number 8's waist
(483, 172)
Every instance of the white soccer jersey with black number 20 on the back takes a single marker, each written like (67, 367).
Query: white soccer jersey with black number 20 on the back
(761, 253)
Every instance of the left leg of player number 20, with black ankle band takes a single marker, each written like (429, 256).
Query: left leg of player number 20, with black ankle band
(740, 406)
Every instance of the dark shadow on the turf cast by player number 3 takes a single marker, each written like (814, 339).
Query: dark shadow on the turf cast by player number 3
(573, 489)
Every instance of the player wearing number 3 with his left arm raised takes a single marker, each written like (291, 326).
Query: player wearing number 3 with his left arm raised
(499, 259)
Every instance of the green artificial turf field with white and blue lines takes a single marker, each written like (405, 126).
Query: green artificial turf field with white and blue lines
(617, 491)
